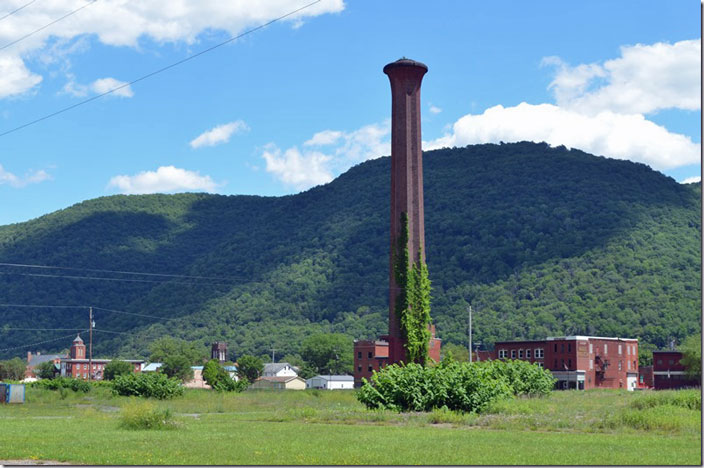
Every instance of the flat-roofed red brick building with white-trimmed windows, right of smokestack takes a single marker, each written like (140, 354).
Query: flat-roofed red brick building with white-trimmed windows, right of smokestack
(579, 362)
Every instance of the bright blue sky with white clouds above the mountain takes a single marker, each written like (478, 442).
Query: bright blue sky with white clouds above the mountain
(297, 103)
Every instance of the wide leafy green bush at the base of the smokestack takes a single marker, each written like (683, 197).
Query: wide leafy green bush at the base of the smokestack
(466, 387)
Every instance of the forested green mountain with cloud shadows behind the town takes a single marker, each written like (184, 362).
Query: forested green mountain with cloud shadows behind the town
(542, 241)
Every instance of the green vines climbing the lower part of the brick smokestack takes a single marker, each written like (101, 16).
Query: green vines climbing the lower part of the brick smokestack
(413, 299)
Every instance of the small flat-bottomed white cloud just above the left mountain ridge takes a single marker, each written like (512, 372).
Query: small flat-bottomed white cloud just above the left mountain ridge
(164, 179)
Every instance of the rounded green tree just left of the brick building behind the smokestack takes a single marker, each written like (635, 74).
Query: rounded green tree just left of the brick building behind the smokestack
(329, 353)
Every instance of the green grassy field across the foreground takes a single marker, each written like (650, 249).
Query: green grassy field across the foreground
(317, 427)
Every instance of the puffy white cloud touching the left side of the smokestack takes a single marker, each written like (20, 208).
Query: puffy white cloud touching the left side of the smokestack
(326, 154)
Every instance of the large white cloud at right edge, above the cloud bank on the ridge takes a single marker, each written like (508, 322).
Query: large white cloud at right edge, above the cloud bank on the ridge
(645, 79)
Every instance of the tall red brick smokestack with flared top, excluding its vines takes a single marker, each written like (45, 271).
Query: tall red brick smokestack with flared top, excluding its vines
(406, 177)
